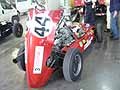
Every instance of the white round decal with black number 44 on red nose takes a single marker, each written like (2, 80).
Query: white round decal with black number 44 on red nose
(41, 25)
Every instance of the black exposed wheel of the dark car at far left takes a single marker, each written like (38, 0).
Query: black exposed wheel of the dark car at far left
(17, 30)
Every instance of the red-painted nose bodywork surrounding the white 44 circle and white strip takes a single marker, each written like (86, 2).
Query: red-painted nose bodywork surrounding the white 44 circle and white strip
(38, 80)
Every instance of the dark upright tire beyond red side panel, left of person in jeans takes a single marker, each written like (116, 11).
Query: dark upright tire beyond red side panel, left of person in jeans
(99, 31)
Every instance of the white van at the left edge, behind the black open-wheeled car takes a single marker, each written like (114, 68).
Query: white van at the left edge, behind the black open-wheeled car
(8, 13)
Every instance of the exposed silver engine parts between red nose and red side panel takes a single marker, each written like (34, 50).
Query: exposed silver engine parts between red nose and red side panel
(65, 33)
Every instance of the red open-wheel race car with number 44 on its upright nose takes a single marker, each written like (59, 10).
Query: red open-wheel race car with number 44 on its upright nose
(54, 40)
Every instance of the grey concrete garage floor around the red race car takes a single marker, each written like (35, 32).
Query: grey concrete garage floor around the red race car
(101, 68)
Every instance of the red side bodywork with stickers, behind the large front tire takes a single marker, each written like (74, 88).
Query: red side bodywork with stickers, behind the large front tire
(86, 39)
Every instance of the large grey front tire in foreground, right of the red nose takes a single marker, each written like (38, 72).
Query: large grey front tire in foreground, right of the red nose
(72, 67)
